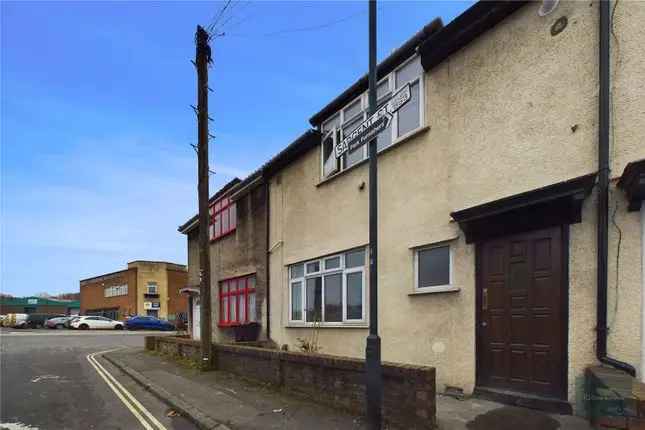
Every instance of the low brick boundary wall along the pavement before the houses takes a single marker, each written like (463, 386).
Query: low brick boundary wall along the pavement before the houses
(409, 396)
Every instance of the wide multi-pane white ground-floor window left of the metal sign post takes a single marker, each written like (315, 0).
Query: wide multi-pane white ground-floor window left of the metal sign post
(328, 291)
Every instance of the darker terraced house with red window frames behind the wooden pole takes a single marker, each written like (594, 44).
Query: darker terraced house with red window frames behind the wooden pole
(238, 215)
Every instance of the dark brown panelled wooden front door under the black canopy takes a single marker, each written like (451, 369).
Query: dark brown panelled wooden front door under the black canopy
(521, 313)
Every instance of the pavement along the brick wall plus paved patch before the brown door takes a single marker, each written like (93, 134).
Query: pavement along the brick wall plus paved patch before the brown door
(221, 400)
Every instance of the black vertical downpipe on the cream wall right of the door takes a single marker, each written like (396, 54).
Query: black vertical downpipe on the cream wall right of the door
(603, 192)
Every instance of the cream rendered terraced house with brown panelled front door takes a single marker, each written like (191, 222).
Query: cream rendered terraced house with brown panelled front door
(510, 248)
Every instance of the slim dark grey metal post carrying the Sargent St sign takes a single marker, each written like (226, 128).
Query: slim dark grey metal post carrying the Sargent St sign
(373, 348)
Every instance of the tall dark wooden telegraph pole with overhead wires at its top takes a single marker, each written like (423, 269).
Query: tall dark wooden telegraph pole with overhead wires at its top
(202, 59)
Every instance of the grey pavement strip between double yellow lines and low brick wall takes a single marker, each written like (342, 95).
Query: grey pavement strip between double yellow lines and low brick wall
(219, 398)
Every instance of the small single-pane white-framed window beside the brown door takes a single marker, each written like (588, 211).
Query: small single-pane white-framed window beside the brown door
(433, 267)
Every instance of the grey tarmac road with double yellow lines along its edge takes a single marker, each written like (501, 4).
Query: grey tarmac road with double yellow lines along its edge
(48, 382)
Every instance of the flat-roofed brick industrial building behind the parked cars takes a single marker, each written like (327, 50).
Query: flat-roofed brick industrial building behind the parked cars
(144, 288)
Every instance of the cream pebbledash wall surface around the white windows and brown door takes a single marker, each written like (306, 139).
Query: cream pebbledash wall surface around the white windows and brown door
(513, 111)
